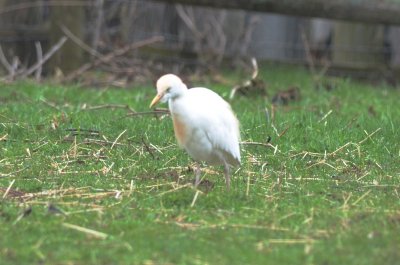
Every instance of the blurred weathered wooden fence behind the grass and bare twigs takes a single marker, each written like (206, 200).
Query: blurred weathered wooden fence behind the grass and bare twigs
(231, 28)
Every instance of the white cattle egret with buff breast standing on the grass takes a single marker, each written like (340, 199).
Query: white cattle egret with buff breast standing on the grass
(204, 123)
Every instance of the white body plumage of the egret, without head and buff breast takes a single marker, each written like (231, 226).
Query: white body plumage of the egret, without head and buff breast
(213, 130)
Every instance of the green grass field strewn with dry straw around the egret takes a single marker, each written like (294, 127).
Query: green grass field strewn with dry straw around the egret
(84, 183)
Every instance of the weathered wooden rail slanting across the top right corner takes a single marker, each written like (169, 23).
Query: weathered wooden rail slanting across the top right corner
(372, 11)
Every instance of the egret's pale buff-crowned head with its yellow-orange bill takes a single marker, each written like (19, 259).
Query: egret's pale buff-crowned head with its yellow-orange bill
(169, 86)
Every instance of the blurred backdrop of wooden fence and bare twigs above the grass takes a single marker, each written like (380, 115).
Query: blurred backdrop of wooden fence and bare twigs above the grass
(136, 40)
